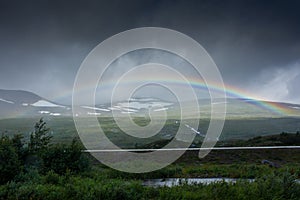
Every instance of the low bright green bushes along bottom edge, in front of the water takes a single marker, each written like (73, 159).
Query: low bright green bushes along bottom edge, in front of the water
(54, 186)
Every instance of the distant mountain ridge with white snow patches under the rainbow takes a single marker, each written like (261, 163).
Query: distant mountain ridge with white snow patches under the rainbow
(18, 103)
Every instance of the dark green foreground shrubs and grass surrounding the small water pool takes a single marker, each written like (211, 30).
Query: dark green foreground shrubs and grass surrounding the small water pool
(39, 169)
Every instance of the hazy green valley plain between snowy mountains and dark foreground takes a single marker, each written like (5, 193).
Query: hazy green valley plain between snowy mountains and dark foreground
(63, 128)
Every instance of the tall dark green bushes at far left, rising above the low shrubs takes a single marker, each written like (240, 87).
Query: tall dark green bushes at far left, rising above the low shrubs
(17, 156)
